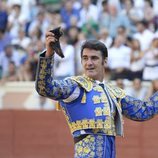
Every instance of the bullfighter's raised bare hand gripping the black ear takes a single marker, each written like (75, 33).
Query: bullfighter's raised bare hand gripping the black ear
(49, 39)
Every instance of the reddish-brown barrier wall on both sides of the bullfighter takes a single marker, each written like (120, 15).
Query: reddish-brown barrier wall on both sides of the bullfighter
(45, 134)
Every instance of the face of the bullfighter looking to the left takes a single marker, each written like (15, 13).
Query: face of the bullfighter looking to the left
(93, 64)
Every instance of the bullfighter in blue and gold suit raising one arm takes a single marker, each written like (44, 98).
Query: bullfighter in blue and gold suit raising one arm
(93, 108)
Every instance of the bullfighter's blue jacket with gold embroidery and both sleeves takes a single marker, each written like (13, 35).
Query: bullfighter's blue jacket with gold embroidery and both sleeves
(87, 105)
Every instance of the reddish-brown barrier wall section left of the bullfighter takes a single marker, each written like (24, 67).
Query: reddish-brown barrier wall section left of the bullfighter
(34, 134)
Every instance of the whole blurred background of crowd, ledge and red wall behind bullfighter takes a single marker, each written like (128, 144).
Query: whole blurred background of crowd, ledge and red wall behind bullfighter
(29, 125)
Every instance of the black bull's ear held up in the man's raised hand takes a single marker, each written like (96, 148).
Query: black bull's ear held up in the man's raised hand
(58, 32)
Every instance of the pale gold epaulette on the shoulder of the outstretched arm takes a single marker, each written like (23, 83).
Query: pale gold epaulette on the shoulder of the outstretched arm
(116, 91)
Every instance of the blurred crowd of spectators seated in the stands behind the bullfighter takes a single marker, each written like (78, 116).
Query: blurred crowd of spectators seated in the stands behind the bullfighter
(129, 29)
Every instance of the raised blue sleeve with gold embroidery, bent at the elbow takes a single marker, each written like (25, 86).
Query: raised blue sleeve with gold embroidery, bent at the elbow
(46, 86)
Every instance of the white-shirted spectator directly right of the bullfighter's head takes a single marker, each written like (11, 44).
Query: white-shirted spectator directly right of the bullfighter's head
(119, 59)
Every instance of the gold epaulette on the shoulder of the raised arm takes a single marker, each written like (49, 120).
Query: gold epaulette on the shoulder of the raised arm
(84, 82)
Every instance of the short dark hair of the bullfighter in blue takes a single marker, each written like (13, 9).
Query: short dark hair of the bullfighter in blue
(95, 45)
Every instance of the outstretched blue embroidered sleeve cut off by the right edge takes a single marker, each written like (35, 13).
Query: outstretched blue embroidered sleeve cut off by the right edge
(138, 110)
